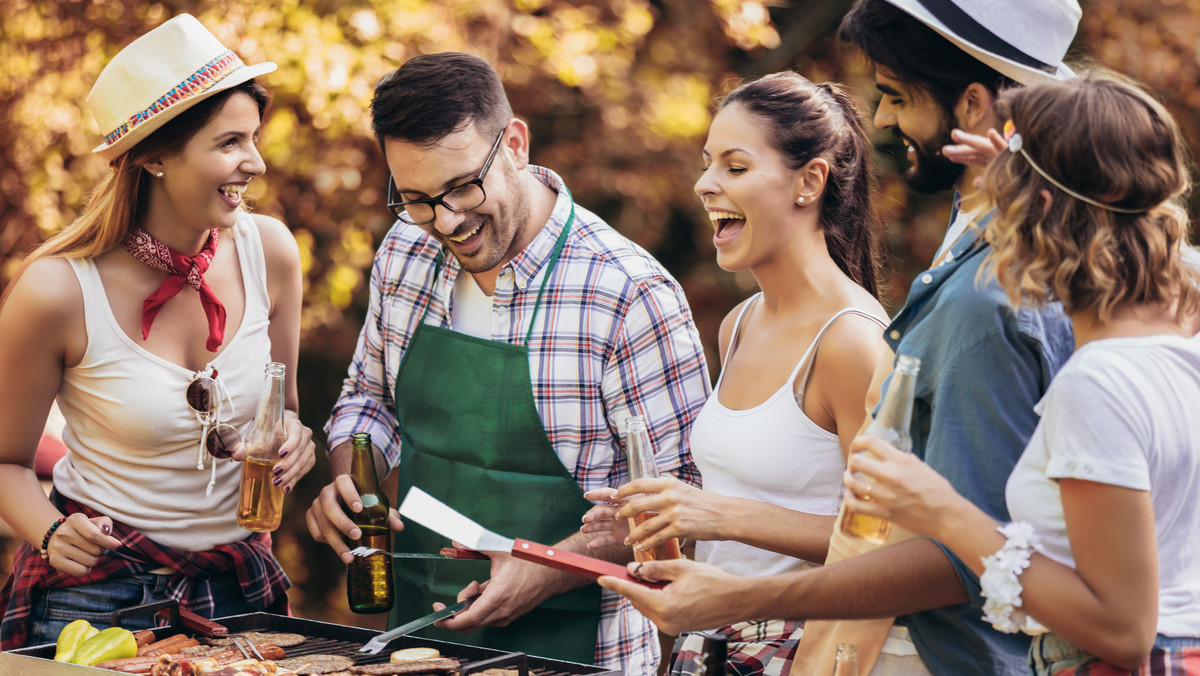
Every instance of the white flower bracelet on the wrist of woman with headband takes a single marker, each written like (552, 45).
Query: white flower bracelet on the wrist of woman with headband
(1000, 584)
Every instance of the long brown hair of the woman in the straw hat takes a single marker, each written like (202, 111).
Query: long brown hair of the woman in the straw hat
(116, 206)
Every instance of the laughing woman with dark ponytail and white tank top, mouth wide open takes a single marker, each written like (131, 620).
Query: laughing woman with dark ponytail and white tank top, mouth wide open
(788, 189)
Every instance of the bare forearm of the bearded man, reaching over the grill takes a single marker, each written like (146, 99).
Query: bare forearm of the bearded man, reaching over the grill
(901, 579)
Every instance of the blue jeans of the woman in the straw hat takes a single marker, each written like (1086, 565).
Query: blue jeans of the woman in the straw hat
(53, 609)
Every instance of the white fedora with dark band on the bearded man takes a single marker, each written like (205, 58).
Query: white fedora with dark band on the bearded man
(1025, 40)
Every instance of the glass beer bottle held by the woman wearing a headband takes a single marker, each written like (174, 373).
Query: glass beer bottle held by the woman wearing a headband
(891, 426)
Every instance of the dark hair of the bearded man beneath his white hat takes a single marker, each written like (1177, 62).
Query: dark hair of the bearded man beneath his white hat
(915, 53)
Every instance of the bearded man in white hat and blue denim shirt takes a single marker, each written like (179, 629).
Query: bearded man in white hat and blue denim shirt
(985, 364)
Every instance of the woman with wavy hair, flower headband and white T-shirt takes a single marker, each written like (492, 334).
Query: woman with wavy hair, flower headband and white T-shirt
(1101, 563)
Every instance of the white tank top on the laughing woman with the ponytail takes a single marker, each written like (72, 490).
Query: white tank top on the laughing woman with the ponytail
(772, 453)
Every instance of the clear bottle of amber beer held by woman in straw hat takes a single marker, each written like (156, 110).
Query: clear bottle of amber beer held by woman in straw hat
(261, 504)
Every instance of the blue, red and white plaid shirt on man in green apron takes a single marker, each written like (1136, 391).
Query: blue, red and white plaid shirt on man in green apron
(615, 338)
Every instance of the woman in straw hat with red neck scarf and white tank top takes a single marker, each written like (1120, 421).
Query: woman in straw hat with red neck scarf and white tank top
(151, 319)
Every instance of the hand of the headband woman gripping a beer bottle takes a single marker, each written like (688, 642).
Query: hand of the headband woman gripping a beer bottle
(885, 482)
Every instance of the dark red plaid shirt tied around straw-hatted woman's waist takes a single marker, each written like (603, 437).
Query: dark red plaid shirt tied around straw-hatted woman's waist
(263, 582)
